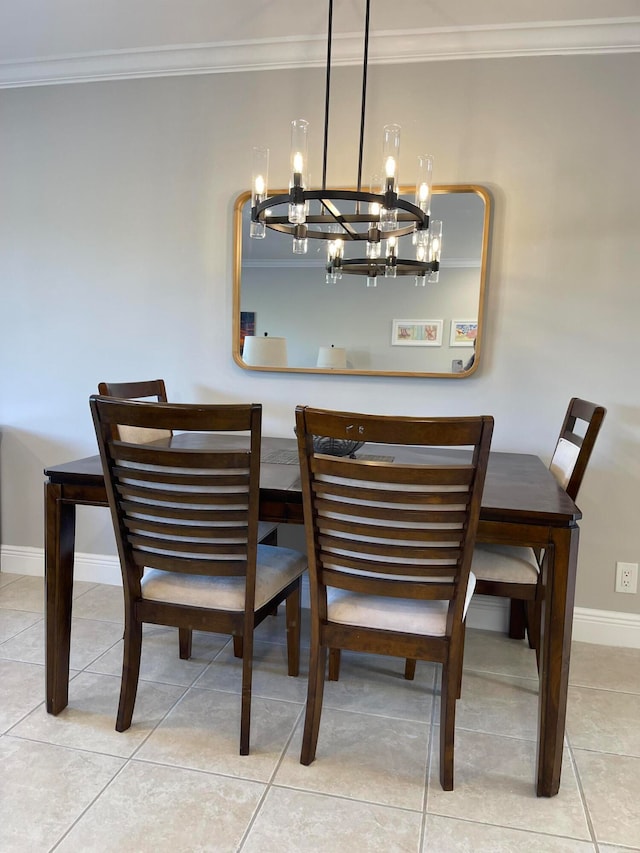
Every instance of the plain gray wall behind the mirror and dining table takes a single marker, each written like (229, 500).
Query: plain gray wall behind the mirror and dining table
(116, 258)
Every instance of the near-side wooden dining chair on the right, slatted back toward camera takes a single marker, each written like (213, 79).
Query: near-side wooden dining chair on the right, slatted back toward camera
(390, 546)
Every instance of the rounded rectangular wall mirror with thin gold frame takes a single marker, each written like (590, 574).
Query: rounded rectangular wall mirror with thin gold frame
(397, 328)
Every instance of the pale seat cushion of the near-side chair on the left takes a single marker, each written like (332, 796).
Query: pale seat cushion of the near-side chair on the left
(275, 569)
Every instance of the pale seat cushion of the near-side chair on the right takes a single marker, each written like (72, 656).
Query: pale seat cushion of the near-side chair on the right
(409, 616)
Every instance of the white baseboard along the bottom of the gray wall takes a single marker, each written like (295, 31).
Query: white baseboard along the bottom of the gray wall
(601, 627)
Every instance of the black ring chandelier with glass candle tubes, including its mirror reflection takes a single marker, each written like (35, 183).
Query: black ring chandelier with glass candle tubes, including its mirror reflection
(373, 219)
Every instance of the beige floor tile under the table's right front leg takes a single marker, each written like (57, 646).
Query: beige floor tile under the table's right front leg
(495, 783)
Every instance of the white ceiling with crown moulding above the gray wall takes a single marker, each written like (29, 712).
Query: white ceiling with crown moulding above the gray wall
(58, 41)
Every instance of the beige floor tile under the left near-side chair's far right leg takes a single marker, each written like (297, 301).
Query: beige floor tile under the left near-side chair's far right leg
(270, 679)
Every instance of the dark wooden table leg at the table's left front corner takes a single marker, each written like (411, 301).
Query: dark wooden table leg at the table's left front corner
(60, 528)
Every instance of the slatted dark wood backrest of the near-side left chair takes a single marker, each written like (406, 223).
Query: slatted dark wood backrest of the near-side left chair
(182, 509)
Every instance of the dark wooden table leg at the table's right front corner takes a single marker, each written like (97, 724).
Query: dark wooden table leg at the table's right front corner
(559, 579)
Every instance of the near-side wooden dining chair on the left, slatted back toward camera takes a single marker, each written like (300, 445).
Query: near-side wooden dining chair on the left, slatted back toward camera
(186, 526)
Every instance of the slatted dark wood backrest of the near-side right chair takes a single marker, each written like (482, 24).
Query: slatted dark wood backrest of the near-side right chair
(393, 528)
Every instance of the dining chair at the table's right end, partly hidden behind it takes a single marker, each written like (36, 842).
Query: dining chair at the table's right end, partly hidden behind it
(514, 572)
